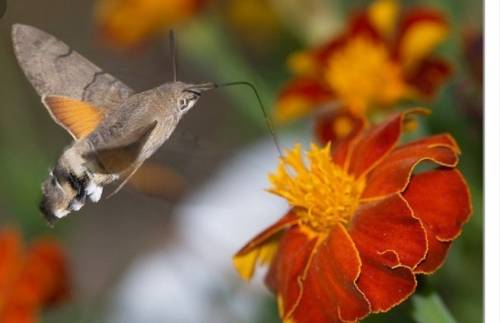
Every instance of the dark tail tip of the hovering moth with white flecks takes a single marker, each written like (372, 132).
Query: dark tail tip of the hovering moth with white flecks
(57, 198)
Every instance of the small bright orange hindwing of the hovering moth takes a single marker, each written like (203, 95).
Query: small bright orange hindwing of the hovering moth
(77, 117)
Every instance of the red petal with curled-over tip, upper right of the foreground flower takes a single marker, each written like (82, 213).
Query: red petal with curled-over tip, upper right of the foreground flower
(393, 173)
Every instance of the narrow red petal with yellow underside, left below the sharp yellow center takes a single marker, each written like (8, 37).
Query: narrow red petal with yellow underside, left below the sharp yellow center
(258, 249)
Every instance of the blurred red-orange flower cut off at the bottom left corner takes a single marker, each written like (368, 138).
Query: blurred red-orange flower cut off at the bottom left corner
(29, 280)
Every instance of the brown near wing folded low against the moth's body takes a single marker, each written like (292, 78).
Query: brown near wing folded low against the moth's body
(120, 155)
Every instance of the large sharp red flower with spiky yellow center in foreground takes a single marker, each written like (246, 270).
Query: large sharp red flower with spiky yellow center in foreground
(363, 223)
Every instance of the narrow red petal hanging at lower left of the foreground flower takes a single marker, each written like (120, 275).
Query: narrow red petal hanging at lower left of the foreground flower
(290, 266)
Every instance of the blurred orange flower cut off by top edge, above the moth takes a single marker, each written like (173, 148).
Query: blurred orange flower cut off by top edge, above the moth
(128, 23)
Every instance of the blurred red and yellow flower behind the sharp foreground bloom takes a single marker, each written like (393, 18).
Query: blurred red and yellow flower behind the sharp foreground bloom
(372, 64)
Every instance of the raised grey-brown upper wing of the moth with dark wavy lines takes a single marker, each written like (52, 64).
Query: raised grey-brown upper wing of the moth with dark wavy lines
(53, 68)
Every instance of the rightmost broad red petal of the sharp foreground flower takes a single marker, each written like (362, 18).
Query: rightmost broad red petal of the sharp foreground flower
(442, 217)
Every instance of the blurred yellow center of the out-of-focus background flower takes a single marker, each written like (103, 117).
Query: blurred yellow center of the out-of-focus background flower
(362, 73)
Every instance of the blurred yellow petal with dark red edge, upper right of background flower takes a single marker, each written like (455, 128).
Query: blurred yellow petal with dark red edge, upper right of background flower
(421, 31)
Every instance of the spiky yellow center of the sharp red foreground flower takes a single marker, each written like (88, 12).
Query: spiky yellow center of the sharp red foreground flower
(323, 193)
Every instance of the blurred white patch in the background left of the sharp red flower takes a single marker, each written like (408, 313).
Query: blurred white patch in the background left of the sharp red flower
(195, 281)
